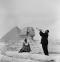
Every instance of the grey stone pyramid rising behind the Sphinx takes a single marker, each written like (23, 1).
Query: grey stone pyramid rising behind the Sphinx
(12, 35)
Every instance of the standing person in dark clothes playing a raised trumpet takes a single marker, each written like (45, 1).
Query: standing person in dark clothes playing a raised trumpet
(44, 41)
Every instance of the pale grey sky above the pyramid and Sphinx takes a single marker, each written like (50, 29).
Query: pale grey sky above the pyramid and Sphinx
(43, 14)
